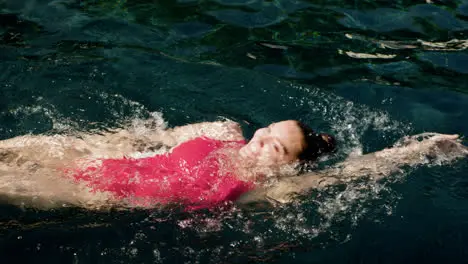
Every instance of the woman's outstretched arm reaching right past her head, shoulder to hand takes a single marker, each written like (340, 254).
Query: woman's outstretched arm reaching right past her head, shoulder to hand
(428, 148)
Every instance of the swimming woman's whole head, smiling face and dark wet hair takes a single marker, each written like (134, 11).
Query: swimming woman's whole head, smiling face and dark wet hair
(286, 142)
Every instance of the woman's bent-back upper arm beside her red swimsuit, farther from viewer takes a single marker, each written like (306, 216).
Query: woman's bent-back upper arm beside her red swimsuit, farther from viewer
(220, 130)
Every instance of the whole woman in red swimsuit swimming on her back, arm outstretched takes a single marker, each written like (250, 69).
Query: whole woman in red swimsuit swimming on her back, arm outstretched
(212, 161)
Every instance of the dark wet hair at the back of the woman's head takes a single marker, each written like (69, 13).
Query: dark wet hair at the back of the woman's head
(316, 144)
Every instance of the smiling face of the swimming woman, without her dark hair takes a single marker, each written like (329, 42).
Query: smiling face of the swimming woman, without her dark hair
(279, 143)
